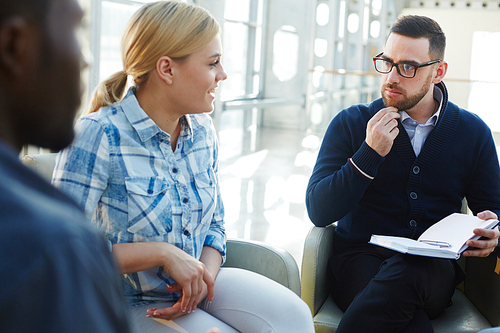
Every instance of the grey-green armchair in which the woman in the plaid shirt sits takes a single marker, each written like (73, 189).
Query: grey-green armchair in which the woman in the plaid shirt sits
(262, 258)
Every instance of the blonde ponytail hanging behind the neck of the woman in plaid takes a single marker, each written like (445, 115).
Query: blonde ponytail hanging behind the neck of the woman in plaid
(108, 92)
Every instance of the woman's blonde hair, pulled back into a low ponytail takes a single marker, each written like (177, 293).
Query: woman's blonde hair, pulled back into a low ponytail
(171, 28)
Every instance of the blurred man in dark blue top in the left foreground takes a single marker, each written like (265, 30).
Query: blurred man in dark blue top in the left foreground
(56, 273)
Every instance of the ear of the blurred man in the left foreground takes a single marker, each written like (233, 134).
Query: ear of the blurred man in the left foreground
(18, 47)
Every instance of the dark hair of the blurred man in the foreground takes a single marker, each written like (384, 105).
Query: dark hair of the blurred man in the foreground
(34, 9)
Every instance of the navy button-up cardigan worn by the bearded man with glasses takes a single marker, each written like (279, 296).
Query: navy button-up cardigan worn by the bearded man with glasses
(408, 193)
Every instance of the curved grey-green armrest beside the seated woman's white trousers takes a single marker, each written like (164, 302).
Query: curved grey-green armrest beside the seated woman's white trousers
(265, 259)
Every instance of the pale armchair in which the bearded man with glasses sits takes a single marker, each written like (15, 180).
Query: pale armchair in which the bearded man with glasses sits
(476, 303)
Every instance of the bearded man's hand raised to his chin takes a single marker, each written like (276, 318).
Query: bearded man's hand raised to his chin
(382, 129)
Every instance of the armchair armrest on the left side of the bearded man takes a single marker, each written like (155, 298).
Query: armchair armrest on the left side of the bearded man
(318, 249)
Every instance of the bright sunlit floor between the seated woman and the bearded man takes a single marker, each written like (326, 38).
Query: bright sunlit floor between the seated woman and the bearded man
(264, 174)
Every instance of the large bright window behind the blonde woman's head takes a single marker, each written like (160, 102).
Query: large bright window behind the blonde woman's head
(242, 41)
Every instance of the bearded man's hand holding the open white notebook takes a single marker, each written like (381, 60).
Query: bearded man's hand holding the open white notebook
(483, 247)
